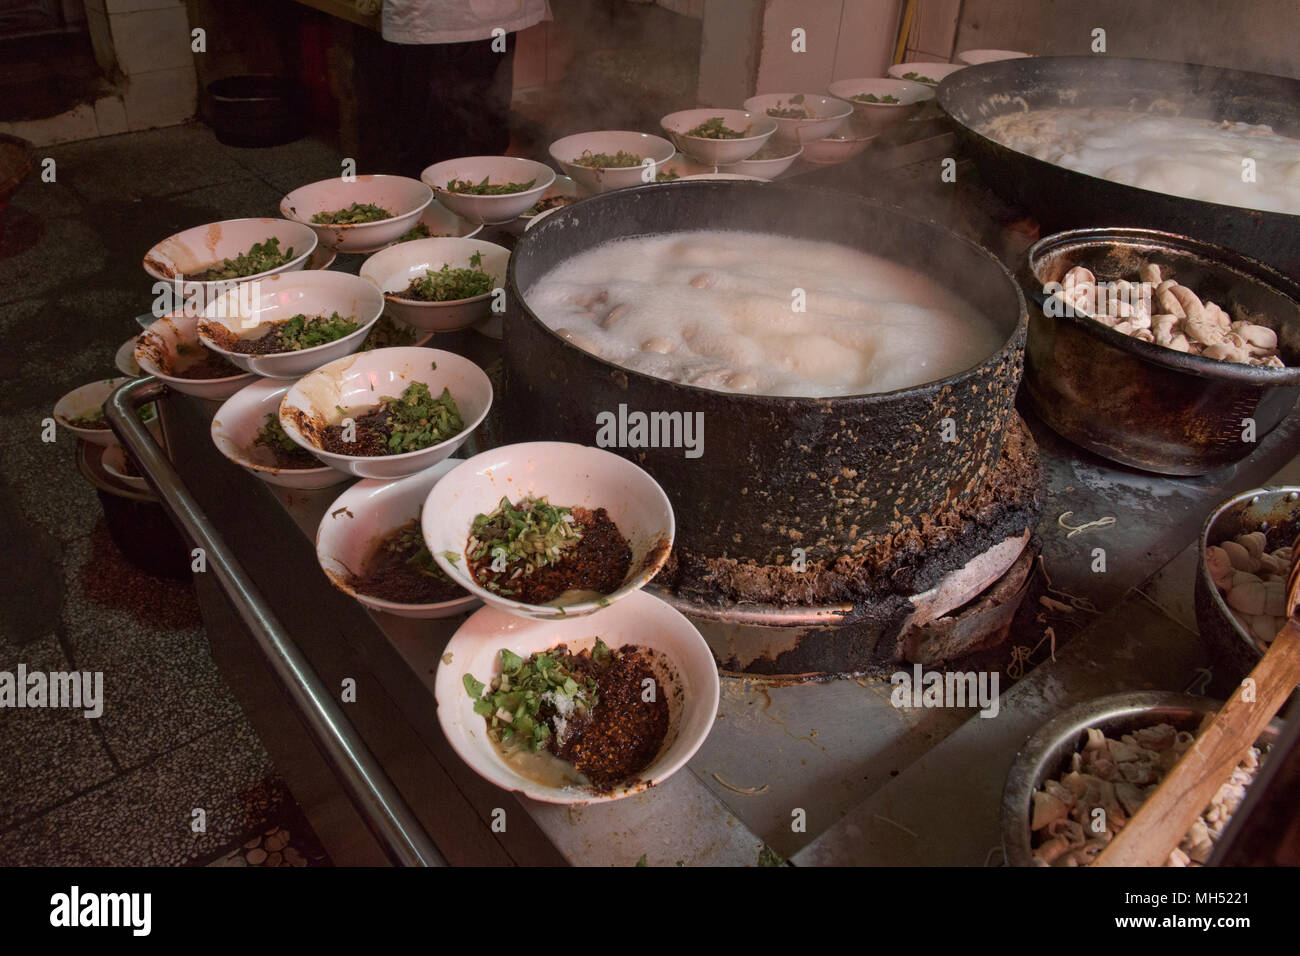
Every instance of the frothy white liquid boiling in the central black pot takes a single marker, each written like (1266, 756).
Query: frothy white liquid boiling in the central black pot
(717, 310)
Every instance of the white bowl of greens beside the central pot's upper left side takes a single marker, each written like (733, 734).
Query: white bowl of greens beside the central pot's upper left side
(393, 270)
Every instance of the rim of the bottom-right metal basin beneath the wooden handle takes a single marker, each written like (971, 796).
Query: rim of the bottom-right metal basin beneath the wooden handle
(1033, 762)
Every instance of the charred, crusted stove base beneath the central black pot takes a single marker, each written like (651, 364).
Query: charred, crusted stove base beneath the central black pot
(954, 596)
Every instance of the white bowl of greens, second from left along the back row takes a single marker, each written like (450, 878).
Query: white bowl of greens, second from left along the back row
(401, 196)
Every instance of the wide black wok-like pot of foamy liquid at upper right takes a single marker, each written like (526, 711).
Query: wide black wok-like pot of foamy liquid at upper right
(1061, 198)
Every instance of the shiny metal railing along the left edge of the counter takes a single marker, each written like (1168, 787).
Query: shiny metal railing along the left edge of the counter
(372, 793)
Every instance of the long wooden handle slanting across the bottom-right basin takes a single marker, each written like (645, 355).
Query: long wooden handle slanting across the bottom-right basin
(1168, 815)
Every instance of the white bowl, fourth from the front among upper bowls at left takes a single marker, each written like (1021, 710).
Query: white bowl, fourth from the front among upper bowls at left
(241, 312)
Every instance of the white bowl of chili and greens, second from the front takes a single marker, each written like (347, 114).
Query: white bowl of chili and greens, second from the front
(570, 477)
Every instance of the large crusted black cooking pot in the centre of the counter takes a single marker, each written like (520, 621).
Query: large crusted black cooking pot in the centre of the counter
(775, 474)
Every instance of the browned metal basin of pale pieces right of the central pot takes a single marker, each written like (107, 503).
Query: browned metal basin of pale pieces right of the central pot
(1141, 404)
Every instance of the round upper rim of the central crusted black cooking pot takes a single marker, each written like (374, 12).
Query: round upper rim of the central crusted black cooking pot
(558, 220)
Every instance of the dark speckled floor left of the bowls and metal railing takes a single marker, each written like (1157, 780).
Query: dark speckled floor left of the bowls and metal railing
(120, 789)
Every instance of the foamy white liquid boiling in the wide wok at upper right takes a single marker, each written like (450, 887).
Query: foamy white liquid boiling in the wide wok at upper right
(1181, 157)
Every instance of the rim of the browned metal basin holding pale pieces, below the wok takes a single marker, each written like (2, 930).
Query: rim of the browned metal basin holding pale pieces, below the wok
(1155, 354)
